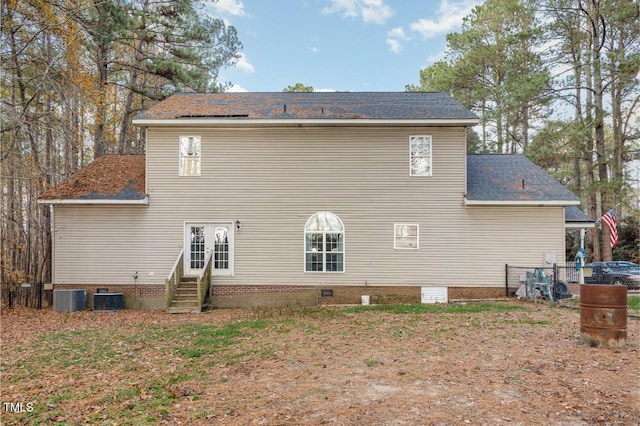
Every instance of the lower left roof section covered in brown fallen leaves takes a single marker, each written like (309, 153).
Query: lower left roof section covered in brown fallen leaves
(111, 179)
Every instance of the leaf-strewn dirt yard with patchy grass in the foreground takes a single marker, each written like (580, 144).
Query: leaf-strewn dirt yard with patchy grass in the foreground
(511, 363)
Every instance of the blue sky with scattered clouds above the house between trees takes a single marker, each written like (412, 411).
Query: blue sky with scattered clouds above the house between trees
(347, 45)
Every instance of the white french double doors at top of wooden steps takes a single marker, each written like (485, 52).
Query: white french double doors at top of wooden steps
(204, 238)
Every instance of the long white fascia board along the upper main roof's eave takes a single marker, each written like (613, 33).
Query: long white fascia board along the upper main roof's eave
(223, 122)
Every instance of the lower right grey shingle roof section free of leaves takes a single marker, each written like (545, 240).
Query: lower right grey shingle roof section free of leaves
(512, 179)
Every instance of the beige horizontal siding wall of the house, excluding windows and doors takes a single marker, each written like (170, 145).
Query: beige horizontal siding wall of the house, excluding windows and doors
(274, 179)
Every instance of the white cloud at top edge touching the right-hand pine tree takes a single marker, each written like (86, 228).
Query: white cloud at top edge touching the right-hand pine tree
(449, 18)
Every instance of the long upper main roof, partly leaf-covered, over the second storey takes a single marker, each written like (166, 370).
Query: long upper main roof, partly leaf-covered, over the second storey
(316, 108)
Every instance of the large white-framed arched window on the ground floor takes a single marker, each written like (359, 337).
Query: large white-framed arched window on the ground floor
(324, 243)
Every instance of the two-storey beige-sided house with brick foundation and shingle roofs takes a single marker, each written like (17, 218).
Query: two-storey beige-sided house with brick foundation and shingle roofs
(304, 198)
